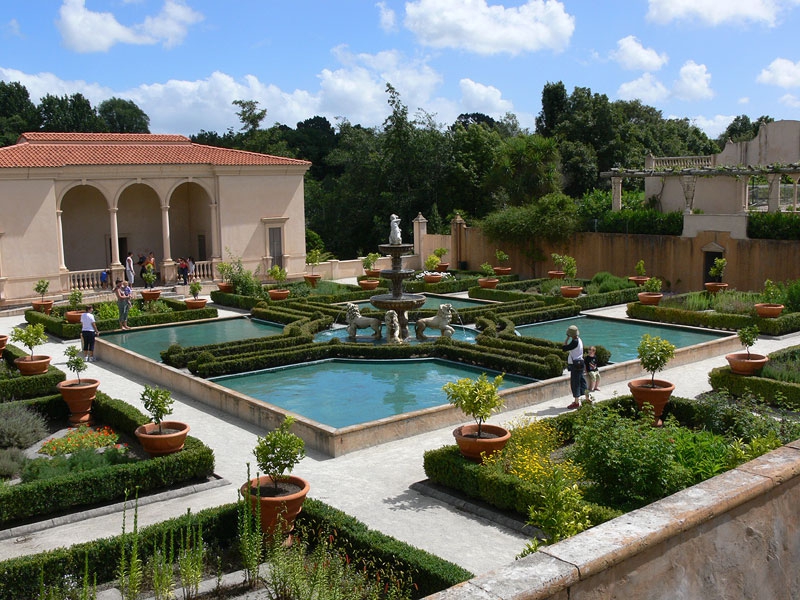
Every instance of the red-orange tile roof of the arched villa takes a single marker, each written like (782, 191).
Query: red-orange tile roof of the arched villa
(42, 149)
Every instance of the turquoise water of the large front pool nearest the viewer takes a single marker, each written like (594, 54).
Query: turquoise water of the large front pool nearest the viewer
(341, 392)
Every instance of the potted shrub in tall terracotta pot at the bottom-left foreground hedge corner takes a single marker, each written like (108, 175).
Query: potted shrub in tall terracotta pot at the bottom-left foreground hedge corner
(277, 495)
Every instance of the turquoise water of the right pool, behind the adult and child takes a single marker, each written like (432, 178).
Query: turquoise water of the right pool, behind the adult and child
(620, 337)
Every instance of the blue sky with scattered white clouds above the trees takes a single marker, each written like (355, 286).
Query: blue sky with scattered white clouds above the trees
(185, 61)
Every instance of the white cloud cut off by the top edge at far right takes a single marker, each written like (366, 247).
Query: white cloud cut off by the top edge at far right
(714, 12)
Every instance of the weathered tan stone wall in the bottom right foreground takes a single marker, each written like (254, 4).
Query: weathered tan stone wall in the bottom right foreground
(736, 535)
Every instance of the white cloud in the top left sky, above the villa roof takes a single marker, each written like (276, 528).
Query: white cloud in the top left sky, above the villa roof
(85, 31)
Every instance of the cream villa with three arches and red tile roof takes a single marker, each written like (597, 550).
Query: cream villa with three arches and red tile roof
(74, 204)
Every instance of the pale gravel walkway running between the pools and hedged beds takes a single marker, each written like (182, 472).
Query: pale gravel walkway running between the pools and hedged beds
(373, 484)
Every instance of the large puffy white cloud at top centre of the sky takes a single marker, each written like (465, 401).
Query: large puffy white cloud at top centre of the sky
(474, 26)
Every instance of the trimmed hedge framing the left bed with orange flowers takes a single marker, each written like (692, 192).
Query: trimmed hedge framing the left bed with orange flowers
(38, 499)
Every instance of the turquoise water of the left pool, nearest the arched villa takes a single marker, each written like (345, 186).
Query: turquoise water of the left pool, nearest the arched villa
(150, 342)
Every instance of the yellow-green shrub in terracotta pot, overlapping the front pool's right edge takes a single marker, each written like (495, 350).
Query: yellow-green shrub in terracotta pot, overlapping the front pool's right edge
(477, 398)
